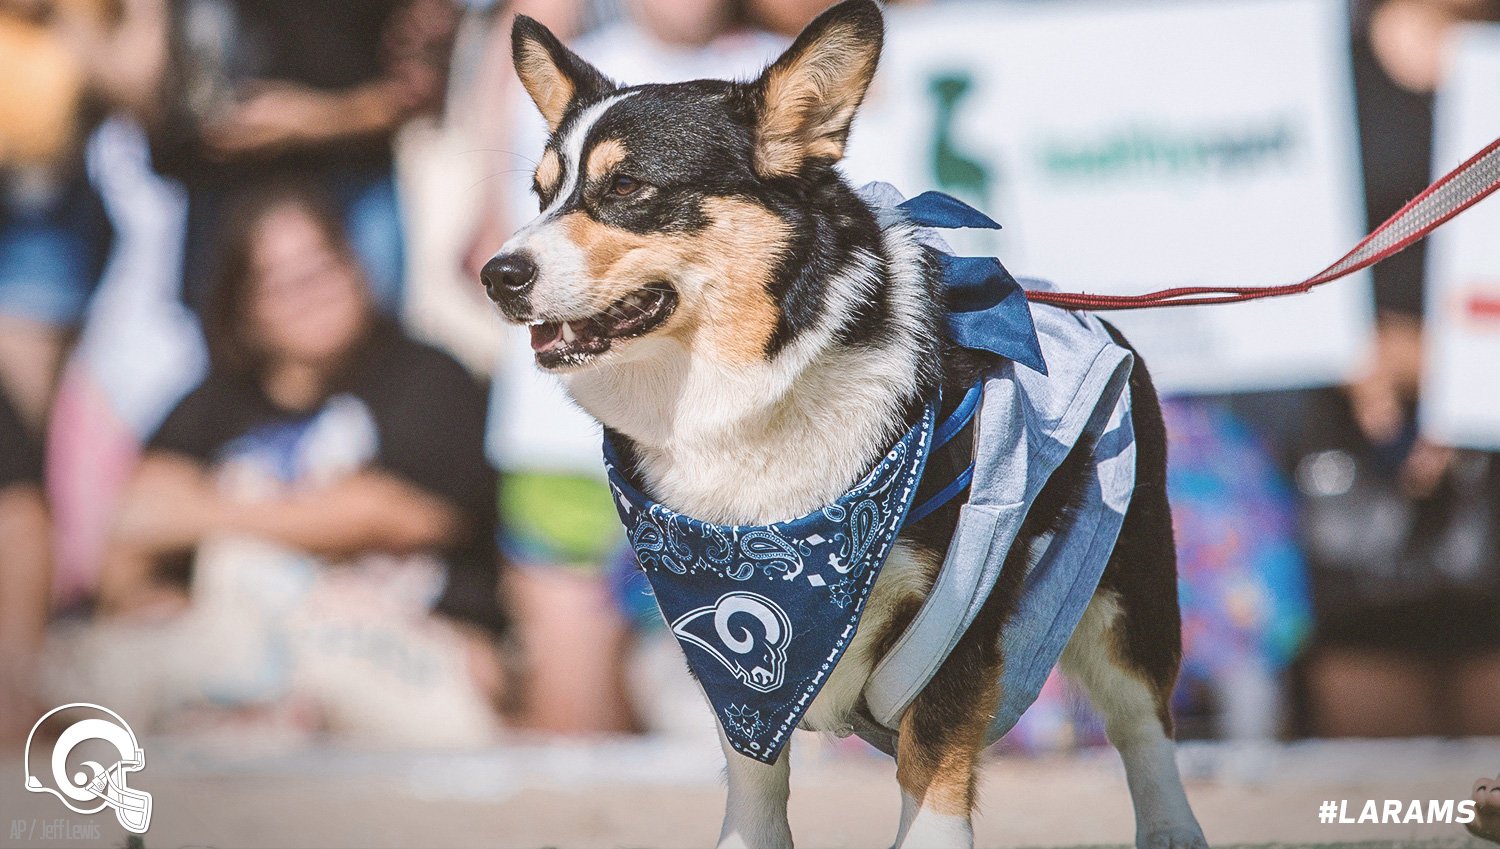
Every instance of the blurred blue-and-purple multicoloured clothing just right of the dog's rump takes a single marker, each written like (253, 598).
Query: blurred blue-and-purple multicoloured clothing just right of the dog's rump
(1241, 572)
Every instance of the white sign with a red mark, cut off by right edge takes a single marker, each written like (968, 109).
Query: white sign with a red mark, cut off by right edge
(1462, 383)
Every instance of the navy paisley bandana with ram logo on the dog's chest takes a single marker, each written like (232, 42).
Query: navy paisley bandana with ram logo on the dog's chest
(764, 613)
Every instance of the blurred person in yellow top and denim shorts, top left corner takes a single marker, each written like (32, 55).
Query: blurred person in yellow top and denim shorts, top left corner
(64, 64)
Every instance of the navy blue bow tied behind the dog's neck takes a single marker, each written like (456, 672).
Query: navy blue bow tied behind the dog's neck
(988, 310)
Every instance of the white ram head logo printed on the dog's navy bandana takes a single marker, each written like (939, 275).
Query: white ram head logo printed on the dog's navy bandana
(745, 632)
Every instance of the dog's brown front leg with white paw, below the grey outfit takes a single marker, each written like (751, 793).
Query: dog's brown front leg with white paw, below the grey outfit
(940, 746)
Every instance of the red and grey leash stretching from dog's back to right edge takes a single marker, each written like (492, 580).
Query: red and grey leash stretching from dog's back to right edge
(1456, 193)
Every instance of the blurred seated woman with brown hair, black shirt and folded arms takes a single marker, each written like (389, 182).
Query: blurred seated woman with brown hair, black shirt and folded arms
(320, 428)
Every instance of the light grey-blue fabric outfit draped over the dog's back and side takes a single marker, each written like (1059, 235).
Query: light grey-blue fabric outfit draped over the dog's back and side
(1027, 425)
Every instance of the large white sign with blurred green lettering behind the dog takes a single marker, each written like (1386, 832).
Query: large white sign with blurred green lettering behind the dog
(1135, 146)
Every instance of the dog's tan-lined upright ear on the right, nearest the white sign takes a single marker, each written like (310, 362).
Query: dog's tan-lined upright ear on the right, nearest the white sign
(806, 101)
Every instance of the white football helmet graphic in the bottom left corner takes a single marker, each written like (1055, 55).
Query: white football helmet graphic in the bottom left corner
(82, 754)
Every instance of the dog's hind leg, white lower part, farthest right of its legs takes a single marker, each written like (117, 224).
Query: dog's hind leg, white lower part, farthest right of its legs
(1135, 706)
